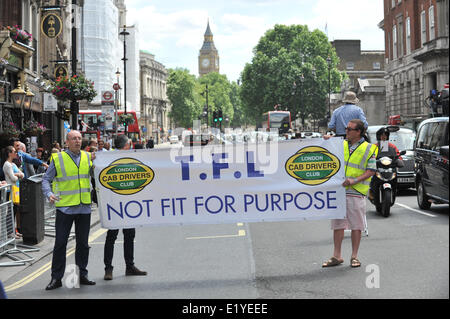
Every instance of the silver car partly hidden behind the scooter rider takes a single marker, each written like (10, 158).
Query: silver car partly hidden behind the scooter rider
(404, 140)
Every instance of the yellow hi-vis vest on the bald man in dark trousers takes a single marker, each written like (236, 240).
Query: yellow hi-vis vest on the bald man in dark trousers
(72, 182)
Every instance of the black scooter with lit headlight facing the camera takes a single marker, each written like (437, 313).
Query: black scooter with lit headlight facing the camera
(384, 183)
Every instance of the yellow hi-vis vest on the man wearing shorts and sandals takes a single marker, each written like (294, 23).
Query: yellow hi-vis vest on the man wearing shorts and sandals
(356, 164)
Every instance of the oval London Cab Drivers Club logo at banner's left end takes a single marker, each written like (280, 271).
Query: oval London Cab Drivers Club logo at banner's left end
(126, 176)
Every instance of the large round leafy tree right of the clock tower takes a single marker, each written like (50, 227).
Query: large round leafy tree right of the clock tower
(282, 56)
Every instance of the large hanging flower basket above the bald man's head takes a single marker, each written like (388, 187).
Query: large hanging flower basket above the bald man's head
(73, 88)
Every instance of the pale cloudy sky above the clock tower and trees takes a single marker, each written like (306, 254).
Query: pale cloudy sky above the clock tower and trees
(173, 30)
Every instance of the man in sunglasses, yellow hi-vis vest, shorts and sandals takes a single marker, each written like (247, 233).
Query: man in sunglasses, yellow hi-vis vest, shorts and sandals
(360, 166)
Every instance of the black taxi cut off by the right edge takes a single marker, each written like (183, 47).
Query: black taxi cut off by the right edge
(431, 156)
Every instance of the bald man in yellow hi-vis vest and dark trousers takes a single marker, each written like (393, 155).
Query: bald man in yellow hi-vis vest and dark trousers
(69, 171)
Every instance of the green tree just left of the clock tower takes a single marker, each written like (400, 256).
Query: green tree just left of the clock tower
(180, 92)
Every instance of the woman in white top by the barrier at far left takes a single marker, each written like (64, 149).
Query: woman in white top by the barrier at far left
(13, 176)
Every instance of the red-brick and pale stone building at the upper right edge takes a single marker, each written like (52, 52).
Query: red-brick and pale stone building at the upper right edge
(416, 42)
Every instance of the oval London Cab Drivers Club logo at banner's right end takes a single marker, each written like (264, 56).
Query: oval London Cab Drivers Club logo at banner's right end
(312, 165)
